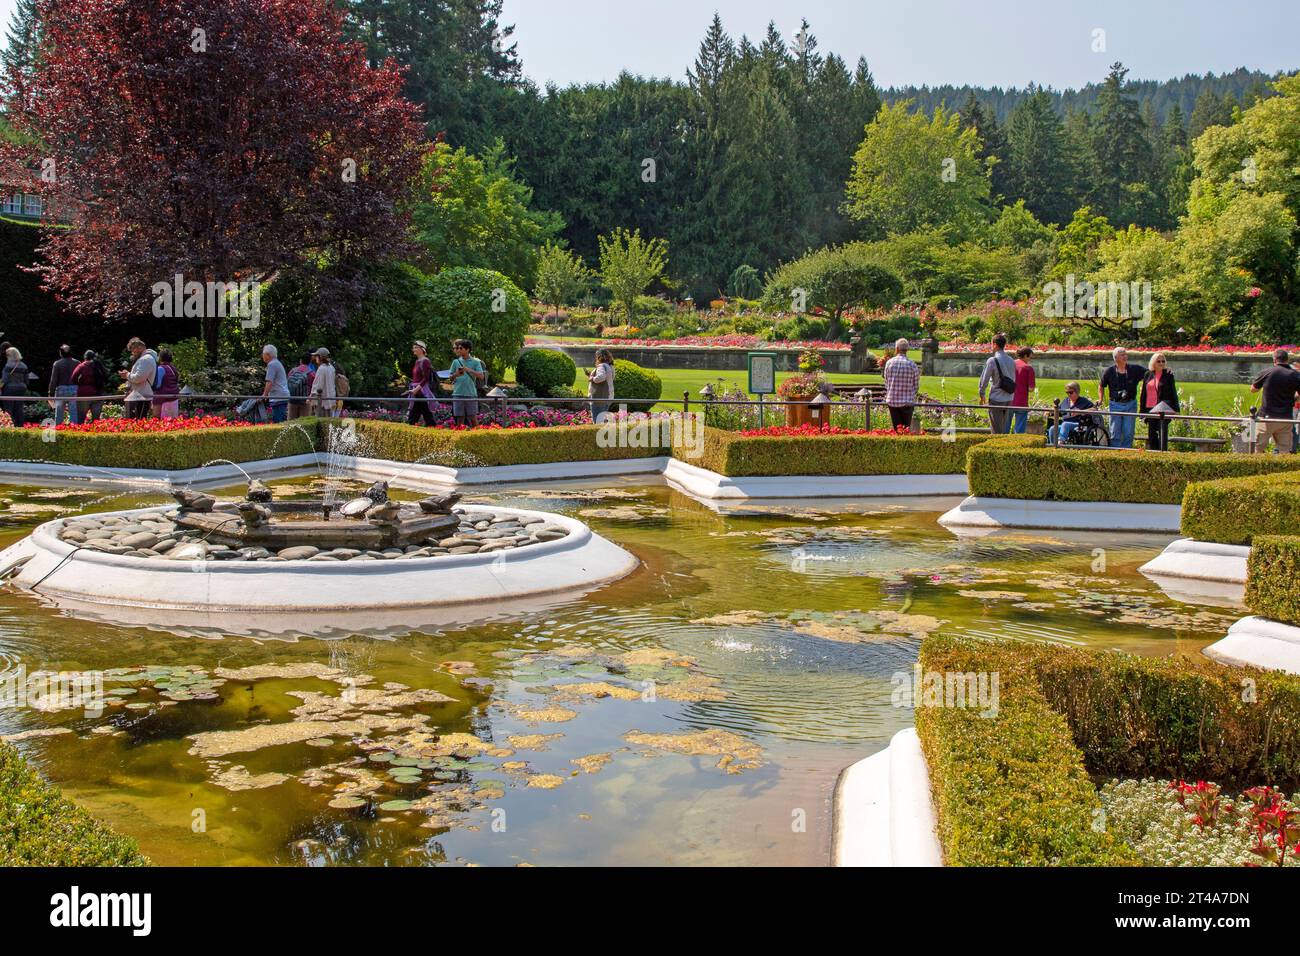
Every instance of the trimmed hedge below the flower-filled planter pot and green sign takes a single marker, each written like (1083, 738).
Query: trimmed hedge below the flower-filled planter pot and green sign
(736, 456)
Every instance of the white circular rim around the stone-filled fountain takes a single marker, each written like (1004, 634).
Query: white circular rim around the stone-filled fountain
(60, 572)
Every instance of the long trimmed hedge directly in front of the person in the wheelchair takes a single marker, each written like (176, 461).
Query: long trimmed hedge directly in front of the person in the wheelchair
(1002, 470)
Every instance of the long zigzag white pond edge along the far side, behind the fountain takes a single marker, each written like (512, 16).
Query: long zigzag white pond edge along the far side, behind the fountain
(691, 479)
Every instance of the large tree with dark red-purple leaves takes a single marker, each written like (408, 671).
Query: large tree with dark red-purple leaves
(216, 140)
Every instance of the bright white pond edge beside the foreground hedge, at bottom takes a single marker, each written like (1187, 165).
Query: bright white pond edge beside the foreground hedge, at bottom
(883, 811)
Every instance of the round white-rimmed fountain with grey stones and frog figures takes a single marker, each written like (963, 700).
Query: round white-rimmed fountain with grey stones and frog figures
(262, 555)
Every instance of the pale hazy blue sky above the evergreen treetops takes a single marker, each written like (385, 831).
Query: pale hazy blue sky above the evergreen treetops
(915, 42)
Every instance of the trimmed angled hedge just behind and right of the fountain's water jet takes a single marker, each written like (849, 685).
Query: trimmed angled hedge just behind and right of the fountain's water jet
(491, 447)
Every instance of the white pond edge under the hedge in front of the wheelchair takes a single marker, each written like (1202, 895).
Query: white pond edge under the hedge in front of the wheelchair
(978, 513)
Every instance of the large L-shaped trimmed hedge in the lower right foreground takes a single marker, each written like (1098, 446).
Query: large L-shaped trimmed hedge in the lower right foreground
(1015, 789)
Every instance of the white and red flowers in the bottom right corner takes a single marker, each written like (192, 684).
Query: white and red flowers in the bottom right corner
(1180, 824)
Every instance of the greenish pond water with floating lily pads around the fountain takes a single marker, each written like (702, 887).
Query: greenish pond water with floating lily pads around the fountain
(697, 712)
